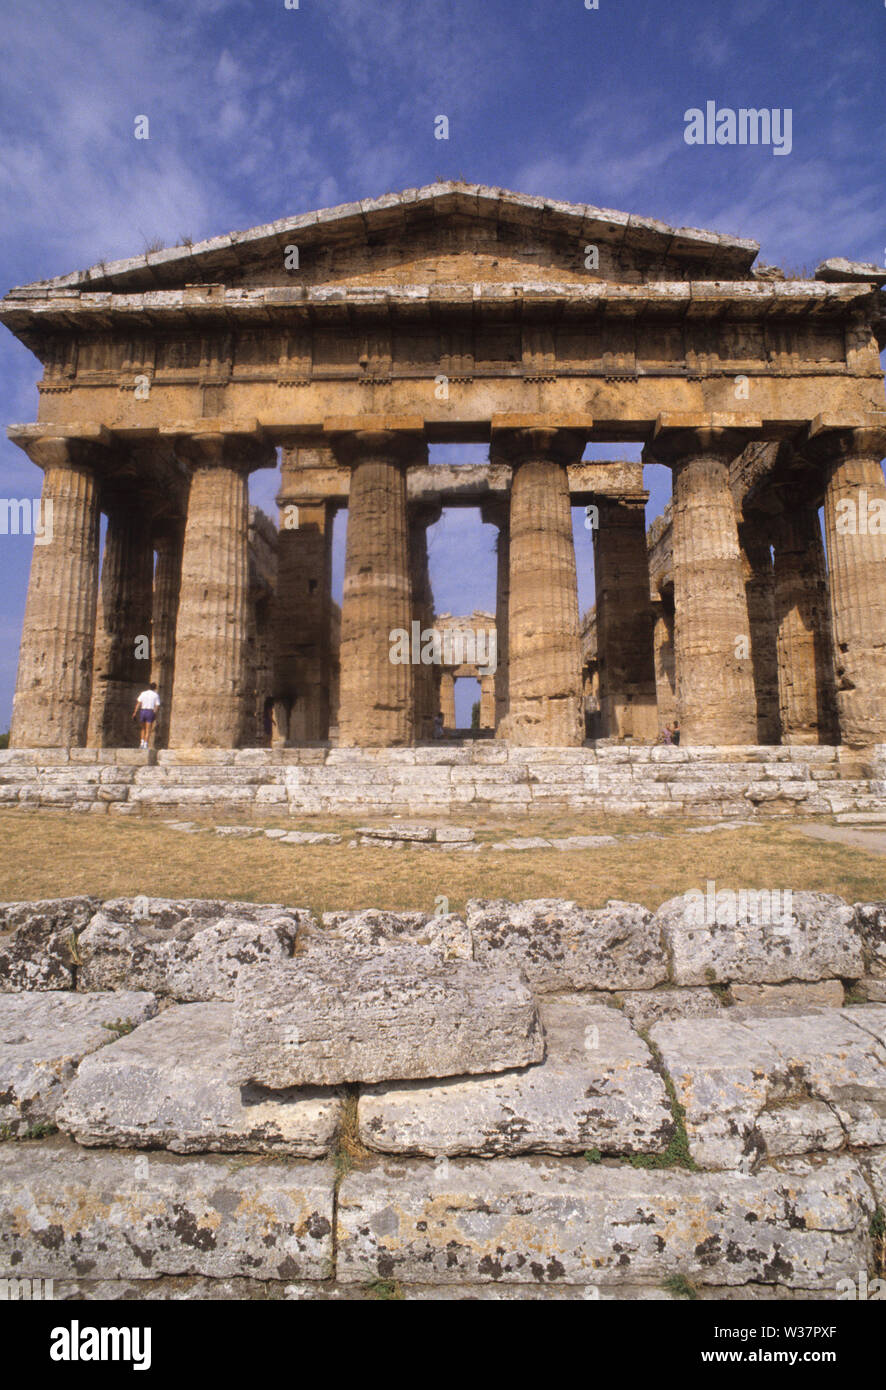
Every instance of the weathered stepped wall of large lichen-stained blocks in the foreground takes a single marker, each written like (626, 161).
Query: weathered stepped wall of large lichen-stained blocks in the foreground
(710, 1110)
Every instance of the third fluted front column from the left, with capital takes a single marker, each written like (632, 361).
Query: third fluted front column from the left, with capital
(376, 703)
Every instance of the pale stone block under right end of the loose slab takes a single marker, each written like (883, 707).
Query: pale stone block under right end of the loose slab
(595, 1090)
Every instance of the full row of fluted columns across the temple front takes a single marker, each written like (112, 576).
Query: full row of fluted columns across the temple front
(721, 605)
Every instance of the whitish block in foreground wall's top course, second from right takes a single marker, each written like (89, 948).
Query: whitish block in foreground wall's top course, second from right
(817, 943)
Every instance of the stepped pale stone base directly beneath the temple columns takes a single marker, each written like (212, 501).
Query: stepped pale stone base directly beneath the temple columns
(483, 776)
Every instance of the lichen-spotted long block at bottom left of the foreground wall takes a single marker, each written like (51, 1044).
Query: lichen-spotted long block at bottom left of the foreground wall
(66, 1210)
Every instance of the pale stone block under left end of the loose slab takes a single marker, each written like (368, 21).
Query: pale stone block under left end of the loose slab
(168, 1086)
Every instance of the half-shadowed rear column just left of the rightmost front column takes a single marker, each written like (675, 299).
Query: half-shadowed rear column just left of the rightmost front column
(807, 698)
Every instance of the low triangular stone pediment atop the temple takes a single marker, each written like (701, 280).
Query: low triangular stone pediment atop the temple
(446, 234)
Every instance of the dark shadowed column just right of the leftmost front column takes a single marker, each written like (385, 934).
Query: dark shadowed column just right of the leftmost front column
(122, 661)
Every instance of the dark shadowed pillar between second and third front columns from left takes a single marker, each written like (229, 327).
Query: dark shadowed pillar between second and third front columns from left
(303, 618)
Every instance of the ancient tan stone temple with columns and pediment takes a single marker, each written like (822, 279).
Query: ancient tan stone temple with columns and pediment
(353, 340)
